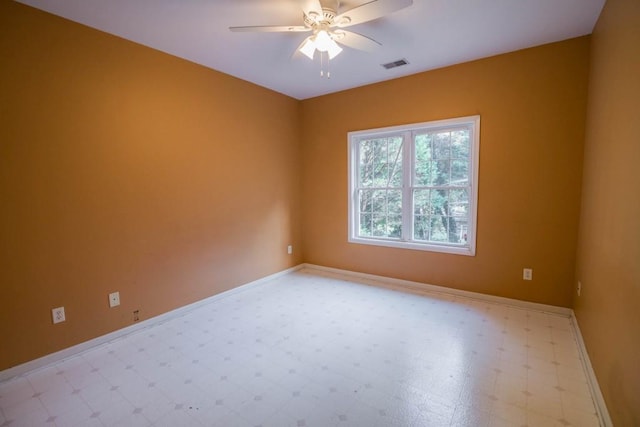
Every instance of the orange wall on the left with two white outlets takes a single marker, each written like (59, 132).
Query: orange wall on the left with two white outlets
(125, 169)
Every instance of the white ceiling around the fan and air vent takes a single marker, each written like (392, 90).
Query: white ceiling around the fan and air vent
(429, 34)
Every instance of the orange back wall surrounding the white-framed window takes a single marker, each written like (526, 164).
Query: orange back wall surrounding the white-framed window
(532, 105)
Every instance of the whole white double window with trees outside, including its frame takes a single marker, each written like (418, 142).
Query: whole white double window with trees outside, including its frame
(415, 186)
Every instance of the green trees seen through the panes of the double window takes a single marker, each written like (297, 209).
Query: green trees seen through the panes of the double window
(440, 186)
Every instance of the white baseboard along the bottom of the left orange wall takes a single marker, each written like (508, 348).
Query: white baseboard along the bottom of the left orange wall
(75, 350)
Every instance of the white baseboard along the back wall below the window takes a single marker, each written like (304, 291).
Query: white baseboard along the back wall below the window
(426, 288)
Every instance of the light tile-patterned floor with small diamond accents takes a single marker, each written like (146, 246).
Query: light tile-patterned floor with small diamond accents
(308, 350)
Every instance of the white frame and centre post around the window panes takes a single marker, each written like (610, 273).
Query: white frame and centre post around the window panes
(406, 241)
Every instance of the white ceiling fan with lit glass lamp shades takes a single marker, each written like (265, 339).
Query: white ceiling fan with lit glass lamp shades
(326, 25)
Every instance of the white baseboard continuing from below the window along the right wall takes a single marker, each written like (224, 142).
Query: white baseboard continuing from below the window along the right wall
(423, 288)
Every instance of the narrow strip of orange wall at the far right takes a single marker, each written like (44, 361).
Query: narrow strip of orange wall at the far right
(608, 309)
